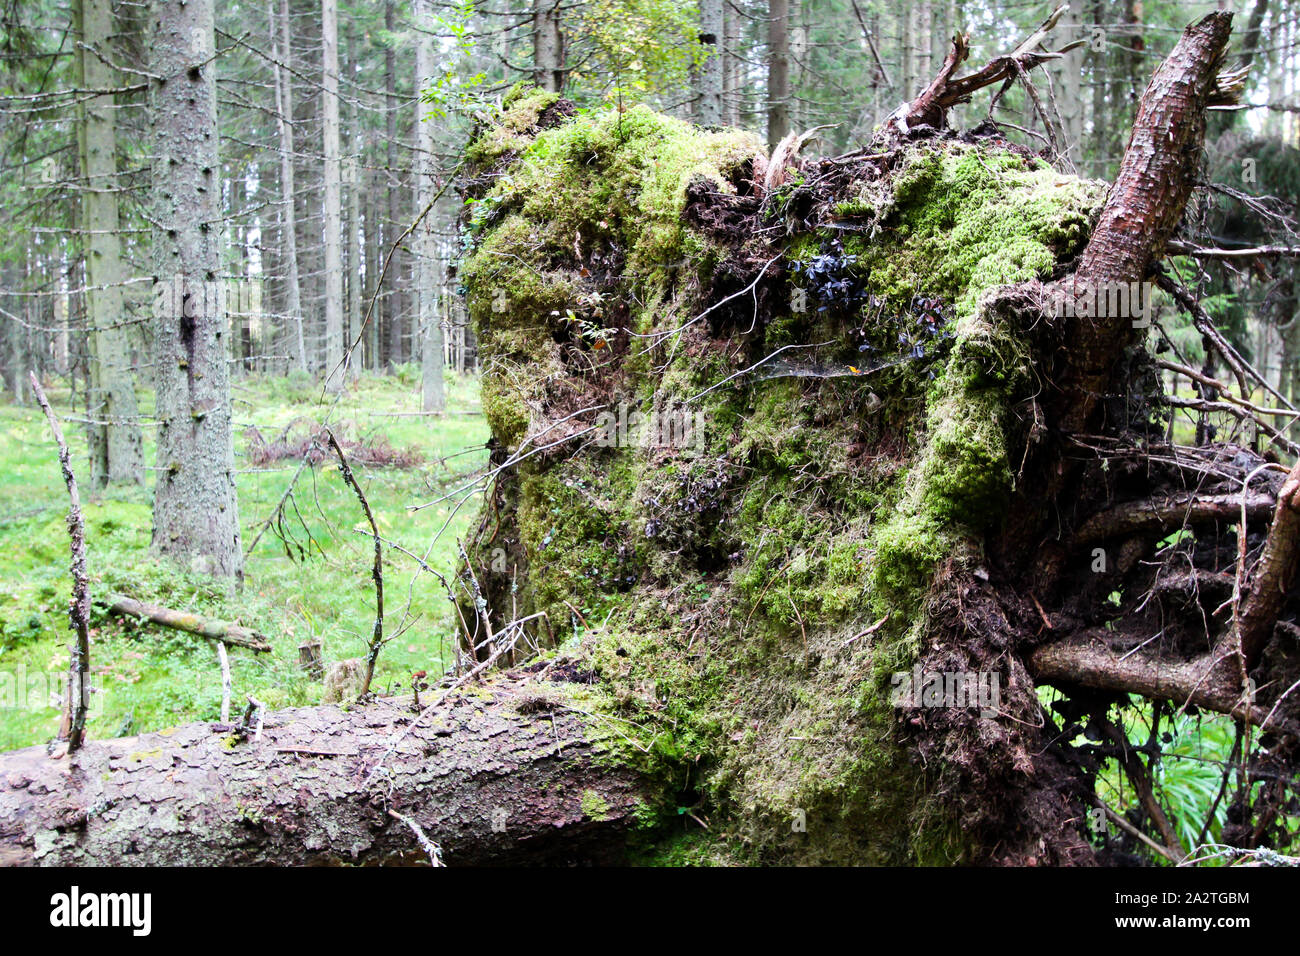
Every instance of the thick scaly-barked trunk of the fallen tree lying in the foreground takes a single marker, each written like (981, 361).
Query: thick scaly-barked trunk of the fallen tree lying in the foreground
(495, 776)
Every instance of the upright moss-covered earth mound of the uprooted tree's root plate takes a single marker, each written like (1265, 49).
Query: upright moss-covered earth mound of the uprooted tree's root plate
(738, 603)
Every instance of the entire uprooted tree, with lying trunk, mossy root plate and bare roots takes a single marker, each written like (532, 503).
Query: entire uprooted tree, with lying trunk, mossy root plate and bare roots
(773, 439)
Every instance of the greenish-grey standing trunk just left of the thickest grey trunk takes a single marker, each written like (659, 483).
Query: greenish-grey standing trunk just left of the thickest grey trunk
(118, 453)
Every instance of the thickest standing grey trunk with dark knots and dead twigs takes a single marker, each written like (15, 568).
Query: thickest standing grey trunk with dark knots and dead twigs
(196, 512)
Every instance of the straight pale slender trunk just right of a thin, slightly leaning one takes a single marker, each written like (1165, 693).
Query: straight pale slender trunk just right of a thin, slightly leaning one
(336, 375)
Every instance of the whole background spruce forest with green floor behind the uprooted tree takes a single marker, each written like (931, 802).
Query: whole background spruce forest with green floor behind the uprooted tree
(331, 230)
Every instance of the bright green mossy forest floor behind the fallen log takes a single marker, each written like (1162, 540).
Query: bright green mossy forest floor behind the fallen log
(307, 579)
